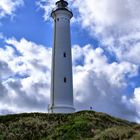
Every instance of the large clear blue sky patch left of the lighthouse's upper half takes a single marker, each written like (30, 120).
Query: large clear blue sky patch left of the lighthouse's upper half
(28, 23)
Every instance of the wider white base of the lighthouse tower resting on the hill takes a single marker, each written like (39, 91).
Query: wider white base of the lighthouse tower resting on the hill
(61, 109)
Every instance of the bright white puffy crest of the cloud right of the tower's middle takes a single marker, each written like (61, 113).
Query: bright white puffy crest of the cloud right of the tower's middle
(97, 61)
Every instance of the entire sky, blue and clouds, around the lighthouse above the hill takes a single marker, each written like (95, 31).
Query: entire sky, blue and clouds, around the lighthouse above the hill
(105, 48)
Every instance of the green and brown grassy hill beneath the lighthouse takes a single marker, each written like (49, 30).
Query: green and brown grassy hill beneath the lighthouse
(85, 125)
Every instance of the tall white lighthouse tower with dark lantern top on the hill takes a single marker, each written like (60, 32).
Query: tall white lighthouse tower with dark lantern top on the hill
(61, 74)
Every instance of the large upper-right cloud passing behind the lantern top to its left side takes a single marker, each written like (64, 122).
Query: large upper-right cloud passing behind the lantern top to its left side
(115, 22)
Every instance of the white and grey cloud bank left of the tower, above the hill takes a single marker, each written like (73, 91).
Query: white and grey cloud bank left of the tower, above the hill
(24, 76)
